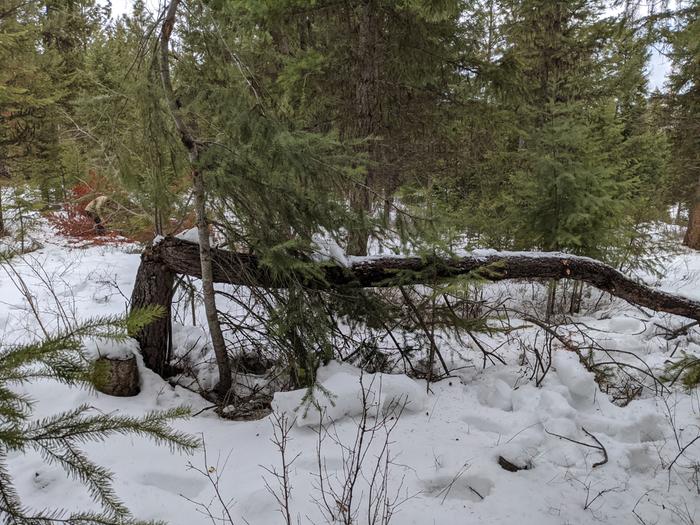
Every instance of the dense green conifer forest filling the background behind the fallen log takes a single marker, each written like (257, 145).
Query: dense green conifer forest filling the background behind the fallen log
(512, 125)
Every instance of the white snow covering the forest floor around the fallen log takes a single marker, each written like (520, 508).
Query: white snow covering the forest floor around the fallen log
(443, 447)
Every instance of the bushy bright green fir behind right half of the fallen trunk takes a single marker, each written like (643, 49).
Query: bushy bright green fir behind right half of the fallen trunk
(566, 191)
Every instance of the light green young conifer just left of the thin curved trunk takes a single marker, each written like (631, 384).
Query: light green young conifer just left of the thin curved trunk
(131, 139)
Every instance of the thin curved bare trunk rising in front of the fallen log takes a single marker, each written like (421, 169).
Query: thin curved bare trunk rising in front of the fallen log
(199, 192)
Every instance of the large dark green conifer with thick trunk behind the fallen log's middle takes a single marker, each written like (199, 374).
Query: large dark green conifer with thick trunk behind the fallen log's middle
(376, 73)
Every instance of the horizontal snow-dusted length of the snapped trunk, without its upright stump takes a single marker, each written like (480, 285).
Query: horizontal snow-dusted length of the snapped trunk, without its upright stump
(182, 256)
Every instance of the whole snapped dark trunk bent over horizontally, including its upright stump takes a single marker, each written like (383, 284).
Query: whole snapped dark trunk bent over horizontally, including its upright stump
(162, 260)
